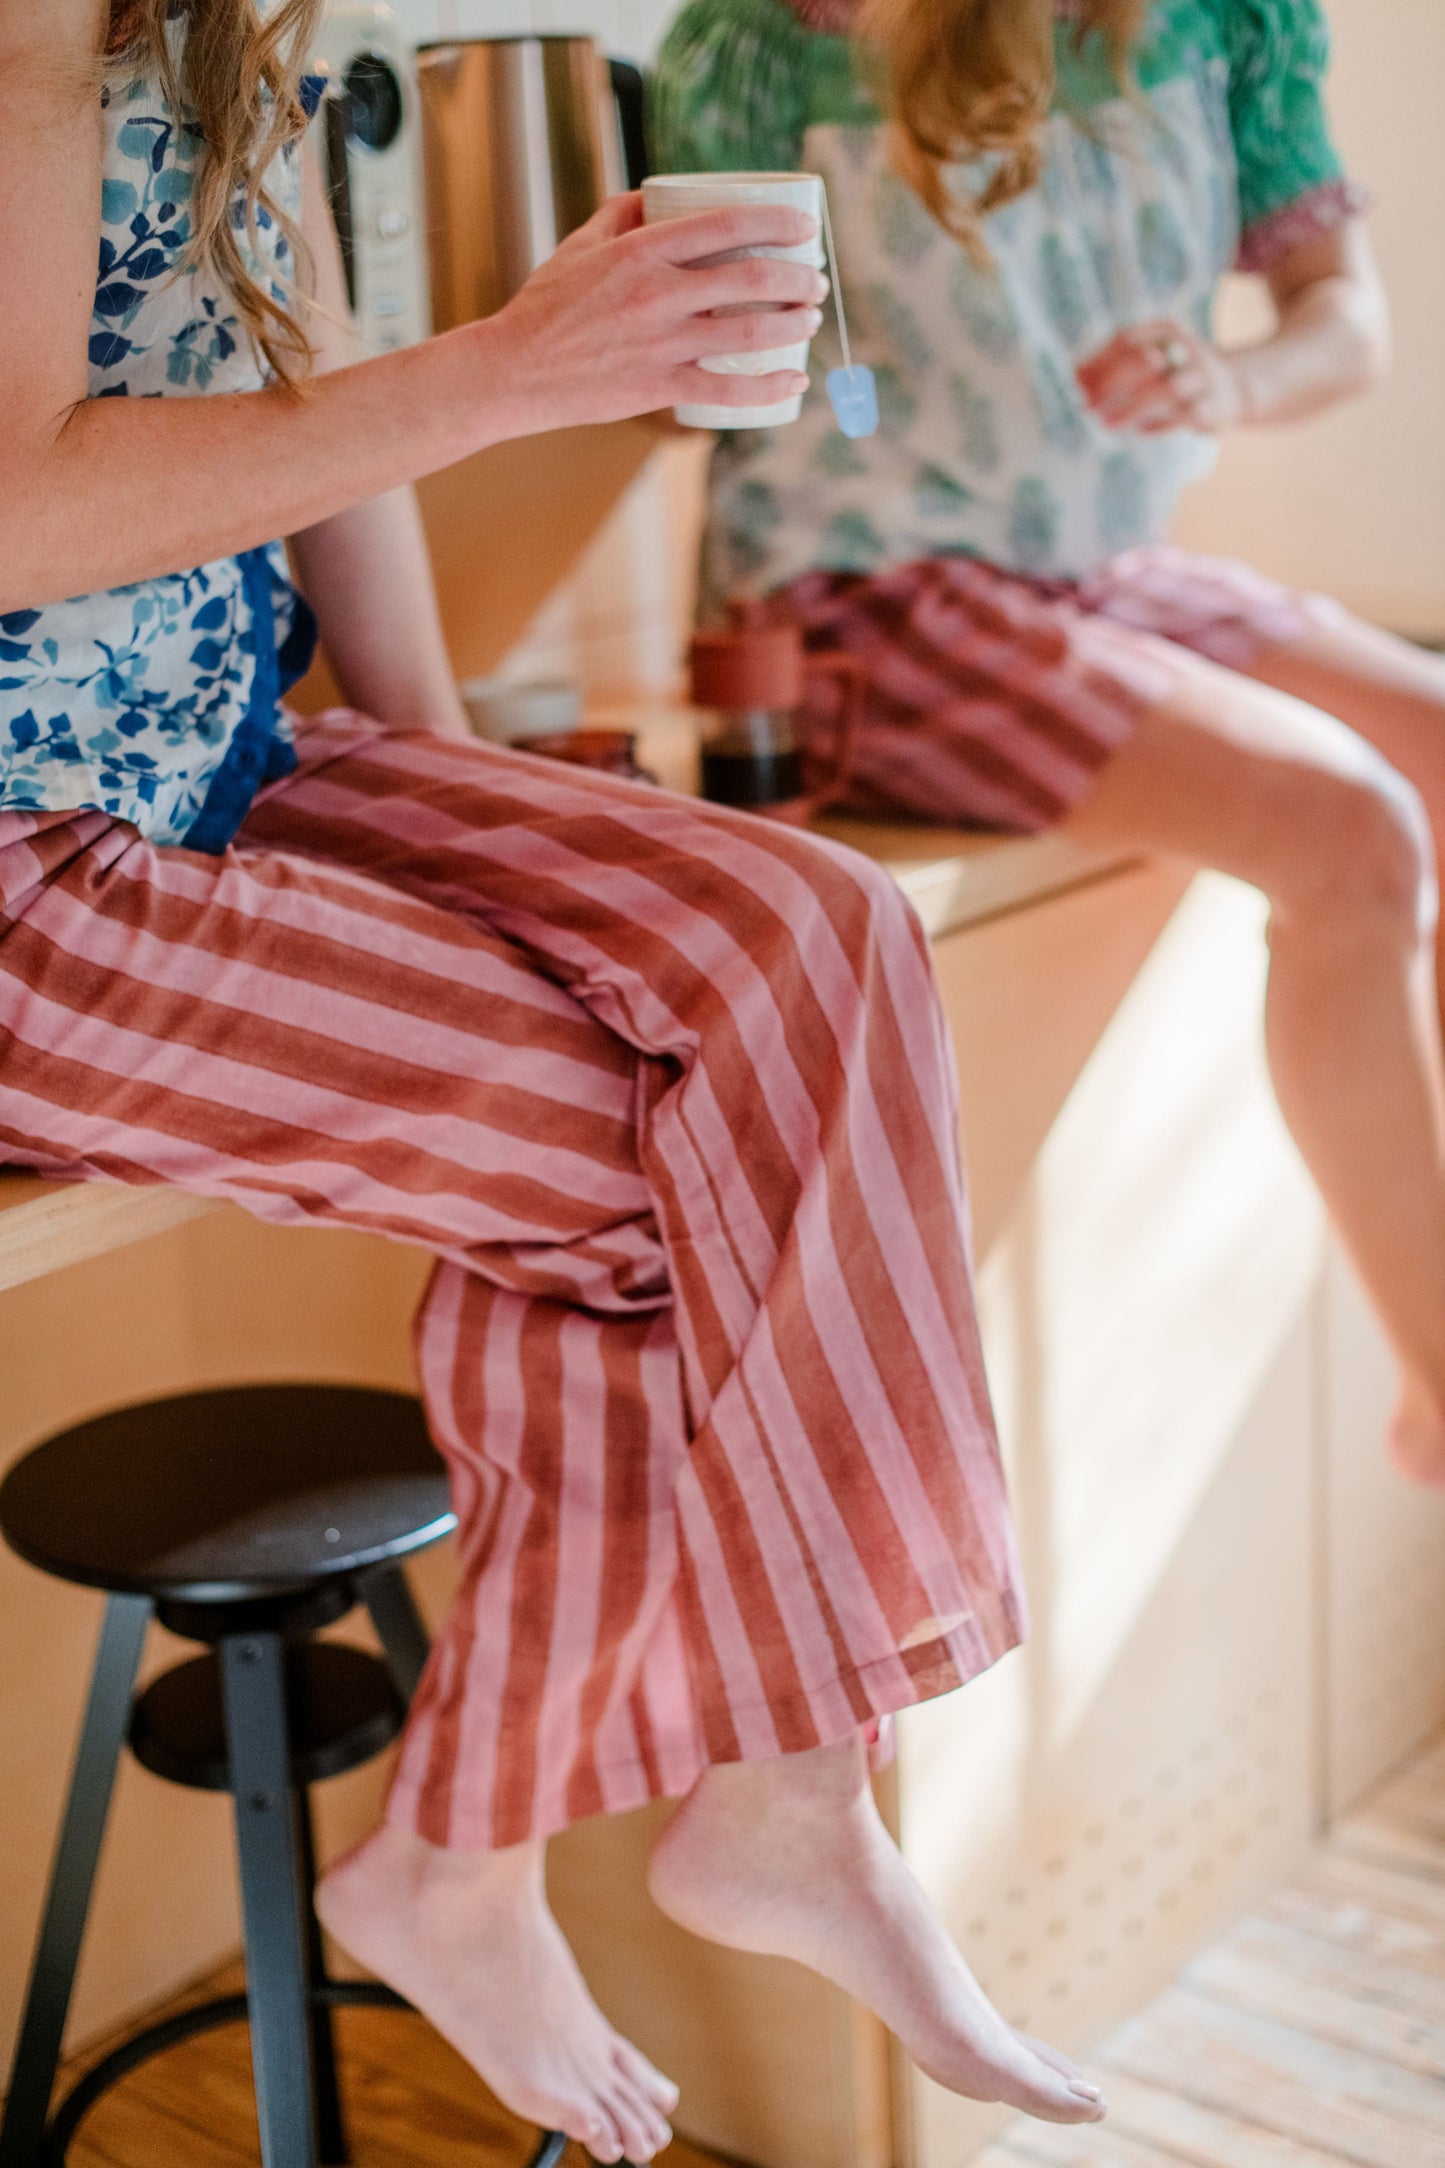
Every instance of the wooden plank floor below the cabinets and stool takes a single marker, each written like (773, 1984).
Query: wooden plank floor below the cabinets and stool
(1312, 2037)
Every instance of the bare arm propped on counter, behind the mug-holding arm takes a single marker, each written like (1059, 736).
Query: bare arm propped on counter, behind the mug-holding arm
(365, 571)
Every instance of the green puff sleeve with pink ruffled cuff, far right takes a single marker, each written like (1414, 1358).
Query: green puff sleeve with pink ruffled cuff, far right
(1292, 185)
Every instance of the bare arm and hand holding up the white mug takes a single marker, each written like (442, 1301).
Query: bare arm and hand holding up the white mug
(109, 491)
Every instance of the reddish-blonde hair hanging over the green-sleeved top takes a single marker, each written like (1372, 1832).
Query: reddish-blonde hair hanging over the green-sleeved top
(976, 77)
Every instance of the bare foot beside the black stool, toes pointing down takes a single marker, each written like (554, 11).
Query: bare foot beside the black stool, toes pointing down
(469, 1937)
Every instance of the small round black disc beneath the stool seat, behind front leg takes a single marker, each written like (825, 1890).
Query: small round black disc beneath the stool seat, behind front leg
(341, 1712)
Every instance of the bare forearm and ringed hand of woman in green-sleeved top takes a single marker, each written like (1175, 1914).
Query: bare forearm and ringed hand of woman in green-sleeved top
(1329, 341)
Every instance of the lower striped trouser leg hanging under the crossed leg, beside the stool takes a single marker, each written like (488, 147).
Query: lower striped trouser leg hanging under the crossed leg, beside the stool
(560, 1686)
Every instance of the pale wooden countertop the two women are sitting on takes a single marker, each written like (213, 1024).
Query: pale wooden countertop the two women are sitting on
(952, 877)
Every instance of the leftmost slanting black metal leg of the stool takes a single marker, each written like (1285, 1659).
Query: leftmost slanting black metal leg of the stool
(73, 1876)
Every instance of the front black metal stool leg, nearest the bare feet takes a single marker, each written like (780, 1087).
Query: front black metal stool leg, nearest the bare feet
(272, 1898)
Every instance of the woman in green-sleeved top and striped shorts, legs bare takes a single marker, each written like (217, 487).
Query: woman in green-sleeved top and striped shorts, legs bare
(1034, 207)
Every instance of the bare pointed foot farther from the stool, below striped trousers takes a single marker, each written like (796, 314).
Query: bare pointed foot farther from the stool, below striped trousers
(790, 1857)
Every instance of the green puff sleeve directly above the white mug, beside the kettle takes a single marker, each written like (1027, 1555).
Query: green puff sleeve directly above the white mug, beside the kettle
(731, 90)
